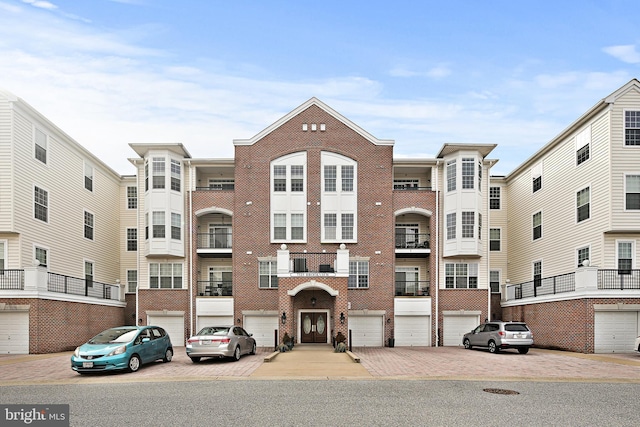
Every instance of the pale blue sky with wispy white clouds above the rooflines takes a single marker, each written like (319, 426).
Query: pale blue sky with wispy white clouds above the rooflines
(422, 73)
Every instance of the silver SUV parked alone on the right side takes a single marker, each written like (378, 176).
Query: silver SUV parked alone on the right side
(499, 335)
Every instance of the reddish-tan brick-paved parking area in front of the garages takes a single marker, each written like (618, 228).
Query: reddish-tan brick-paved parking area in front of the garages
(408, 363)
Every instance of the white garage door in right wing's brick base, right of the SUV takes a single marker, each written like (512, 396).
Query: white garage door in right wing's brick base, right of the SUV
(615, 331)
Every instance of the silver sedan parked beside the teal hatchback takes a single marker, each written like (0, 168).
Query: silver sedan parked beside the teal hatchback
(220, 341)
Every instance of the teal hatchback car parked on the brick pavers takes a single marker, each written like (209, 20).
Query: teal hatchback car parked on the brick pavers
(122, 348)
